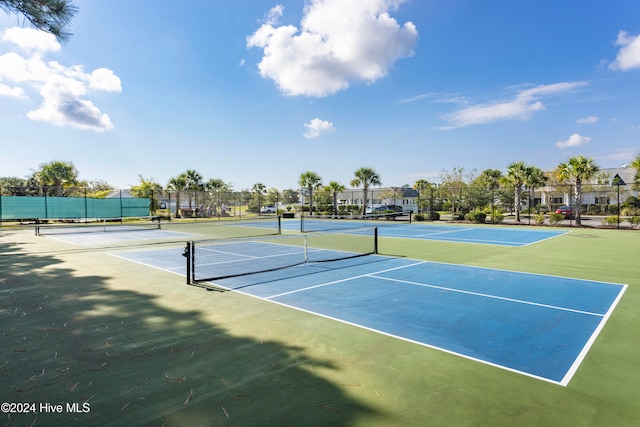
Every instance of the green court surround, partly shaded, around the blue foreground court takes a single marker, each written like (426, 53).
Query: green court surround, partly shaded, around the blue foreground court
(134, 345)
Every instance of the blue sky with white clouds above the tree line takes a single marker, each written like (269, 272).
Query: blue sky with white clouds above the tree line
(260, 91)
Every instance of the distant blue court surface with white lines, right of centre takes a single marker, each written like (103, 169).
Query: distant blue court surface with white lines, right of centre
(503, 236)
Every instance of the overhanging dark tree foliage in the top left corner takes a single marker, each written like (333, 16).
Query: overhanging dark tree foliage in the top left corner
(52, 16)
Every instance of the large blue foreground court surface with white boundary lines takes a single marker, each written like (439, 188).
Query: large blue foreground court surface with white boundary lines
(537, 325)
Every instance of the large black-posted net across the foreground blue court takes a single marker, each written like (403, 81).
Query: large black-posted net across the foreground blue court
(209, 260)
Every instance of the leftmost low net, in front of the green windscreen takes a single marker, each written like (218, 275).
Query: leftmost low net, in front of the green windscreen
(51, 227)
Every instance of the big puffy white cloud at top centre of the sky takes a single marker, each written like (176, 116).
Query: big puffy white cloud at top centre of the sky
(338, 42)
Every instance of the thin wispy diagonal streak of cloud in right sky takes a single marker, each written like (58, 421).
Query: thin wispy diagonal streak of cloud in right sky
(519, 107)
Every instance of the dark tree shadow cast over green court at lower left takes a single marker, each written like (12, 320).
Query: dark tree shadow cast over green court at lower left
(75, 332)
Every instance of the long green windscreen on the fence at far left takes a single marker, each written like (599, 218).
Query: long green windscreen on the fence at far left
(23, 207)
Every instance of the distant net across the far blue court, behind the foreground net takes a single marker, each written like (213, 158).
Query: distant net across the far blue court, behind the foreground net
(333, 222)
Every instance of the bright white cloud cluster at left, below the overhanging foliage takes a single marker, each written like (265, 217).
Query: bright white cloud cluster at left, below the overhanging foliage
(63, 88)
